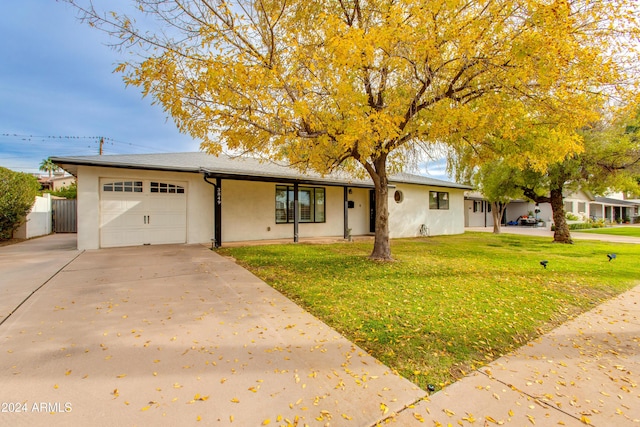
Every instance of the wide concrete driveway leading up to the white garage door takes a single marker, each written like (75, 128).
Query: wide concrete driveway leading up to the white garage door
(173, 335)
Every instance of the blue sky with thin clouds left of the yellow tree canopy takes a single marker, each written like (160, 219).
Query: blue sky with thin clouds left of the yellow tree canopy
(58, 93)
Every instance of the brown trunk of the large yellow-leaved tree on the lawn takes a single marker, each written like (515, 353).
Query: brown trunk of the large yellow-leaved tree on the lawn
(381, 245)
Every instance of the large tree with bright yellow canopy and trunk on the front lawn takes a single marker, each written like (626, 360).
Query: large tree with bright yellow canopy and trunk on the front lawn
(357, 84)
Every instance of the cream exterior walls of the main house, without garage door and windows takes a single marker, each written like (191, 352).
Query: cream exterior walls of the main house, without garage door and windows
(248, 209)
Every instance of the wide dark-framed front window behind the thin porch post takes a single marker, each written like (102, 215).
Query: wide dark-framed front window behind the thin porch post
(311, 204)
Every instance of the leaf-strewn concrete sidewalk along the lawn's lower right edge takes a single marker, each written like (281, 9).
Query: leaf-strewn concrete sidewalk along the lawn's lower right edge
(586, 371)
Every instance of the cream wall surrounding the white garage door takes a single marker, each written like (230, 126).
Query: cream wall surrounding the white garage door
(199, 202)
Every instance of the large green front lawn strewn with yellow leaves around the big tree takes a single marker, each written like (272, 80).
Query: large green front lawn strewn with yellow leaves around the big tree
(447, 304)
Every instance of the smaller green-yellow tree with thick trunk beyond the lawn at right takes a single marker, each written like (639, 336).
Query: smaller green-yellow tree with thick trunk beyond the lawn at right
(609, 161)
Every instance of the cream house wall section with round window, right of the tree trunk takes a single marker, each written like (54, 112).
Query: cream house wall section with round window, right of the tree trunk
(406, 218)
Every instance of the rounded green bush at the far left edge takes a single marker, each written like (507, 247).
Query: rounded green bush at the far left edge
(17, 194)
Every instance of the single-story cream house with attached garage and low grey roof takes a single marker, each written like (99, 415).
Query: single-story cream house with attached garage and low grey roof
(126, 200)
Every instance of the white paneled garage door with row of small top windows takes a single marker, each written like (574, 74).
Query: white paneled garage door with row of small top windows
(135, 212)
